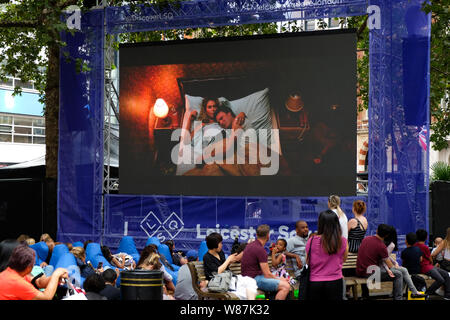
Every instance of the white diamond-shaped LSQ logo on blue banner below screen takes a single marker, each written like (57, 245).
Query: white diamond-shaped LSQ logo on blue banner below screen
(161, 228)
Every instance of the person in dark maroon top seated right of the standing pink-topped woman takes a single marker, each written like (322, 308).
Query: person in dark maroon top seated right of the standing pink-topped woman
(372, 252)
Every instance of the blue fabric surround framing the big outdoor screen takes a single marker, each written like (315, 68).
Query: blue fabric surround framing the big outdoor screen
(398, 119)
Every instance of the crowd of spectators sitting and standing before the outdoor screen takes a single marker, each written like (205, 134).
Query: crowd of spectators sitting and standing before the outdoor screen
(324, 252)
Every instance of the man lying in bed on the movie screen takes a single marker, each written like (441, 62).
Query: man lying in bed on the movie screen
(238, 151)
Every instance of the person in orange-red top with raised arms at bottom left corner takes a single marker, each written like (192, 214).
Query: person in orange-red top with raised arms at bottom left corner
(15, 282)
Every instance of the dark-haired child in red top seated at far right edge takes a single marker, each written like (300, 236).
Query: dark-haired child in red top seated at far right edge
(440, 276)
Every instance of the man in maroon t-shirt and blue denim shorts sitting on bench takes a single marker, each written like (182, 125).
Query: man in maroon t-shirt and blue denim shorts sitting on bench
(254, 263)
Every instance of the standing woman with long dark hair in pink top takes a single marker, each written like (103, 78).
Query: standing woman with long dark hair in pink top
(328, 253)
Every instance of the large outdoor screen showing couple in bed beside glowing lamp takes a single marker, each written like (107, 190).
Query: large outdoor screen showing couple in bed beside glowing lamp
(242, 116)
